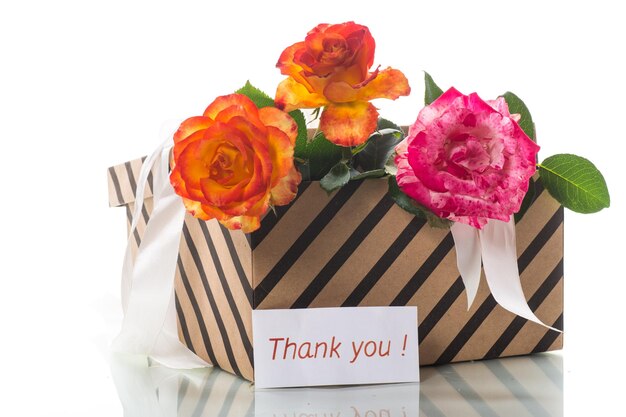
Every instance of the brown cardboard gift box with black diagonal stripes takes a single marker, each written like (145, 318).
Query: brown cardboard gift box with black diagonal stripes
(353, 248)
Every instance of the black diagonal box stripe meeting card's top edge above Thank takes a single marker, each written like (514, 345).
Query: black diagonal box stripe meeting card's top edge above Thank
(343, 254)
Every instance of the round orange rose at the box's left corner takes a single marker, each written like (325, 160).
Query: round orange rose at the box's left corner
(235, 161)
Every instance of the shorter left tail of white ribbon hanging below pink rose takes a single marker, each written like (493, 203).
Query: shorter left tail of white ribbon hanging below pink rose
(467, 245)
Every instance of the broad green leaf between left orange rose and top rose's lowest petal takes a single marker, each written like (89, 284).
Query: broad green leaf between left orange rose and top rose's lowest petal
(320, 155)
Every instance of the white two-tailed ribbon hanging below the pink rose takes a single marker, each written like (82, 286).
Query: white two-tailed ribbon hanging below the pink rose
(495, 244)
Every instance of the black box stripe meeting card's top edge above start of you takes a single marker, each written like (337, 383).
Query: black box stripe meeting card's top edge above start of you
(384, 262)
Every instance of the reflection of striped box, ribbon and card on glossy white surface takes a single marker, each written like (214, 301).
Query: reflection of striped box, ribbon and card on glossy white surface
(522, 386)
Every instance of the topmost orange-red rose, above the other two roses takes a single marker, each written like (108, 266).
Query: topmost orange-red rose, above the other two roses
(331, 68)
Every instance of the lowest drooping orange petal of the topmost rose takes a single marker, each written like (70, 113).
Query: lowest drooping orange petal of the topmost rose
(349, 124)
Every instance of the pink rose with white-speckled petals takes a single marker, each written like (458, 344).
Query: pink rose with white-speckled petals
(466, 160)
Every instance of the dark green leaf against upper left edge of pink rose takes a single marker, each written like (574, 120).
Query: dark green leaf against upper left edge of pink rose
(380, 146)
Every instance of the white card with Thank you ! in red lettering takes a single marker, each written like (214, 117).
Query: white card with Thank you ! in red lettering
(335, 346)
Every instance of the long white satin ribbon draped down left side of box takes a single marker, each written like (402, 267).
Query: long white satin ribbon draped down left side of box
(149, 327)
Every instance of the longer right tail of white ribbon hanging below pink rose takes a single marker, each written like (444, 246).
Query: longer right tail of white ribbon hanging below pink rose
(499, 254)
